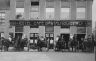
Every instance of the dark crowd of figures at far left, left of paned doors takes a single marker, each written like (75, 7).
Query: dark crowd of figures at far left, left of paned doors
(17, 43)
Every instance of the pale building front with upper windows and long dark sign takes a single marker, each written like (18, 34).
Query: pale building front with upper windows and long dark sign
(47, 18)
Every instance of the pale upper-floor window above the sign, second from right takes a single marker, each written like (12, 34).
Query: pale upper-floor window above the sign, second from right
(65, 13)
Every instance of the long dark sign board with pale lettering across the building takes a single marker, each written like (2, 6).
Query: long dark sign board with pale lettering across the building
(82, 23)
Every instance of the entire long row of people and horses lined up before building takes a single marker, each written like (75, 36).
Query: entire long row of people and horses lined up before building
(60, 44)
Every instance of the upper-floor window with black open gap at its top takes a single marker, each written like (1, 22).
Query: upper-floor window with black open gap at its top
(34, 12)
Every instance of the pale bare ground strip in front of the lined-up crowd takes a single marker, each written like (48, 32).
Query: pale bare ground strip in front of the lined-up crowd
(46, 56)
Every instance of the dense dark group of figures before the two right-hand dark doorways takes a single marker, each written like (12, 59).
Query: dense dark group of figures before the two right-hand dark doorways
(75, 45)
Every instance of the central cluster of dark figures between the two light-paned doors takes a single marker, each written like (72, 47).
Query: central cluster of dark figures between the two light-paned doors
(44, 42)
